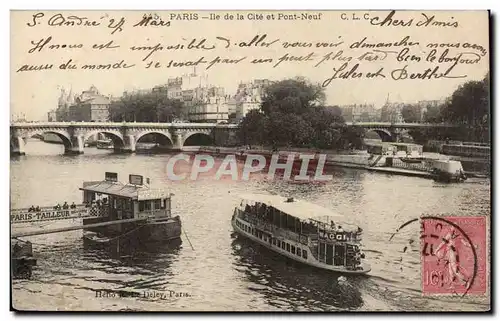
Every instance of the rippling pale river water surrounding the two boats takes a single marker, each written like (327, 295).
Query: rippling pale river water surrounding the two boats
(213, 269)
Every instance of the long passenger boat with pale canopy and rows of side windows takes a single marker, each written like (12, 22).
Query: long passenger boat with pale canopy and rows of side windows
(301, 231)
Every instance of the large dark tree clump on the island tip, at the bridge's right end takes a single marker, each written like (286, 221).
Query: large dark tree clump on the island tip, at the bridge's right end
(292, 113)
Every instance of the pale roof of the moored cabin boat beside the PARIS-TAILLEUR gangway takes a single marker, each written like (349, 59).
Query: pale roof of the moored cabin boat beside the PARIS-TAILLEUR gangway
(121, 190)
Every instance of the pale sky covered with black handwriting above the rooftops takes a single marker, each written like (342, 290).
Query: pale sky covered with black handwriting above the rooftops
(34, 93)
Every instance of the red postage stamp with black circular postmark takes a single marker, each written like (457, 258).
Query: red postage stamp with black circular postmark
(453, 255)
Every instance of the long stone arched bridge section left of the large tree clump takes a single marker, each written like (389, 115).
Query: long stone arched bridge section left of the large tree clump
(124, 135)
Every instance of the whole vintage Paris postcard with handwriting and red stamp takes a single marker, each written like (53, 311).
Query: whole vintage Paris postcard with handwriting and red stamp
(250, 161)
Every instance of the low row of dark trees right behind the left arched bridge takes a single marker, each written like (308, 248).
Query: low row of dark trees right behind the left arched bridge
(147, 107)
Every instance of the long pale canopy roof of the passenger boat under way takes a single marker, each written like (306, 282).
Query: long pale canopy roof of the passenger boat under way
(294, 207)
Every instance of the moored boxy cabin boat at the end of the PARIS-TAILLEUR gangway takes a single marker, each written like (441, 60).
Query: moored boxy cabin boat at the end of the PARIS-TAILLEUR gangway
(146, 211)
